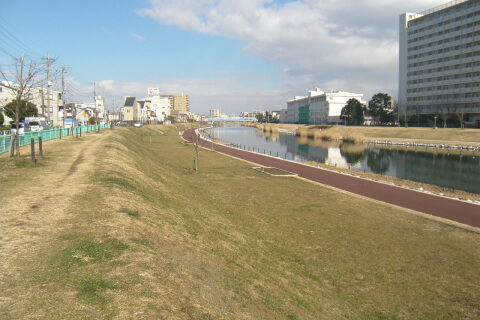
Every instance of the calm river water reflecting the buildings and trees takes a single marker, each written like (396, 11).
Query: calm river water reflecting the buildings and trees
(441, 168)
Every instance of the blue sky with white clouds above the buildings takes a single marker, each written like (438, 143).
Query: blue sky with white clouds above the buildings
(232, 55)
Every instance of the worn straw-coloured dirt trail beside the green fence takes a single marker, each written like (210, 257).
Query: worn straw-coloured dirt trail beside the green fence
(34, 206)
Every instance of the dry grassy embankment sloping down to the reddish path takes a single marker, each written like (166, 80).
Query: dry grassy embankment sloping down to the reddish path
(147, 237)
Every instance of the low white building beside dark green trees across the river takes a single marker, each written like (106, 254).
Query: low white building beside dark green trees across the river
(319, 107)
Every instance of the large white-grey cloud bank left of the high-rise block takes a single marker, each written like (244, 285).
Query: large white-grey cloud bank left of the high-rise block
(348, 43)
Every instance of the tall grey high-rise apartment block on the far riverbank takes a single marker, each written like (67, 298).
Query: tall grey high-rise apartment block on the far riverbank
(439, 60)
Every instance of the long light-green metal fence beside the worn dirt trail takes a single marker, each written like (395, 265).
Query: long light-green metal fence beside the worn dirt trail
(26, 138)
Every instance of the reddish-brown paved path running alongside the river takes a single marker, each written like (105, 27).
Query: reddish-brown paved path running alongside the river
(447, 208)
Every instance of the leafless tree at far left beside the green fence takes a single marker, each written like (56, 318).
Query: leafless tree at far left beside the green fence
(20, 81)
